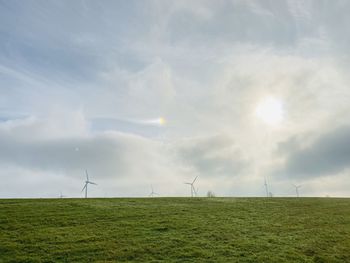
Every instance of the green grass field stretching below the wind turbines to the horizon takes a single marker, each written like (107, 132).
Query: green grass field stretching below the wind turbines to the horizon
(175, 230)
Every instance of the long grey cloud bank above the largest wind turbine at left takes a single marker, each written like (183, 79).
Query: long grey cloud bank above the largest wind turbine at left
(110, 154)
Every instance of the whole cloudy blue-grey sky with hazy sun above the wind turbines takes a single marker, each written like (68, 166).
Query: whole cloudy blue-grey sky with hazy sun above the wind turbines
(142, 93)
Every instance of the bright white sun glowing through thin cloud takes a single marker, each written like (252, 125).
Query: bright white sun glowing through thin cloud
(270, 111)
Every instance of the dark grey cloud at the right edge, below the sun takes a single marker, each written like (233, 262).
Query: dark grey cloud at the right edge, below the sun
(329, 154)
